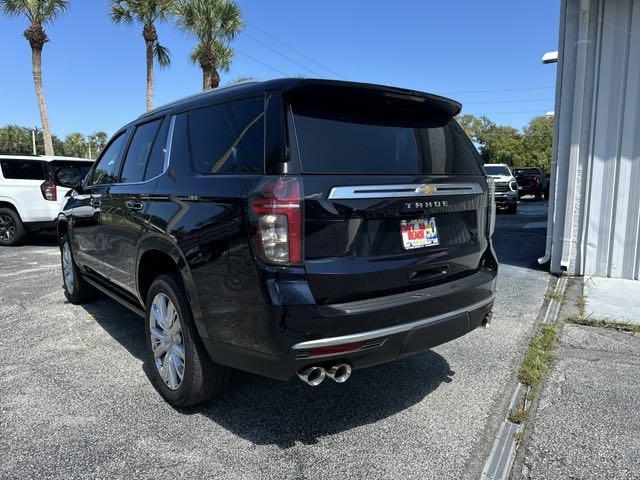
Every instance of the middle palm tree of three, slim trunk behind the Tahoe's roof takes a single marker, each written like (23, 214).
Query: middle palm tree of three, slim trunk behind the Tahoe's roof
(147, 12)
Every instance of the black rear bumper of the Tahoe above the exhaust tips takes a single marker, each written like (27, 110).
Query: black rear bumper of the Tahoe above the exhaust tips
(381, 329)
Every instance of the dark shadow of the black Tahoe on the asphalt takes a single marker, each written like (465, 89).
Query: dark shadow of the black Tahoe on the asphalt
(265, 411)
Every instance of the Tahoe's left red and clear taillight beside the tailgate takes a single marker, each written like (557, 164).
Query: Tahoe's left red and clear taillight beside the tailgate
(276, 220)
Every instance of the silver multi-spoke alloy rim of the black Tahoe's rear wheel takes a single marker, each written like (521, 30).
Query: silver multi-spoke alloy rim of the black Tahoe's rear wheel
(166, 341)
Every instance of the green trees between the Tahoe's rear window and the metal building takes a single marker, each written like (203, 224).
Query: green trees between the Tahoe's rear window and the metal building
(505, 144)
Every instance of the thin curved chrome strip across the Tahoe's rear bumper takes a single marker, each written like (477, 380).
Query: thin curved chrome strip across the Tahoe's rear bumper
(385, 332)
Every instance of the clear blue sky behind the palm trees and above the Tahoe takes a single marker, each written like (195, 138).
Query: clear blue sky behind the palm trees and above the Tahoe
(485, 54)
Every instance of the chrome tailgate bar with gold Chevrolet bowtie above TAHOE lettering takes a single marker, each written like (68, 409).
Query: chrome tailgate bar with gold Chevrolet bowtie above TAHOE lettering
(406, 190)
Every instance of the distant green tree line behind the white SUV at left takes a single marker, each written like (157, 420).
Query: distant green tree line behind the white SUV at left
(15, 139)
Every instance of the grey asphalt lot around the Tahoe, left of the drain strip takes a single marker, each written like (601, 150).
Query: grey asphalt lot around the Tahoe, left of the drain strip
(75, 401)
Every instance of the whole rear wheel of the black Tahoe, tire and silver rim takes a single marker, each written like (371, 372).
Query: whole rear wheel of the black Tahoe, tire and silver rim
(180, 348)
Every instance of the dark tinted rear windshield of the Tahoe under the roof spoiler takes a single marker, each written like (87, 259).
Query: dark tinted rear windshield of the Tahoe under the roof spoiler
(395, 142)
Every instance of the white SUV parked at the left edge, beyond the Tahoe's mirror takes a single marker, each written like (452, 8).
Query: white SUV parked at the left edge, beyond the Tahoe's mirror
(32, 189)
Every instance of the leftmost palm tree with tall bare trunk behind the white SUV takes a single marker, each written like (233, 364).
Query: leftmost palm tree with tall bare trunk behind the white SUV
(39, 13)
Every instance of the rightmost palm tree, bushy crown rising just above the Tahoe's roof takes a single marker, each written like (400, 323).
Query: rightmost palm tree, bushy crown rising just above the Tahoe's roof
(214, 23)
